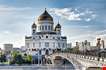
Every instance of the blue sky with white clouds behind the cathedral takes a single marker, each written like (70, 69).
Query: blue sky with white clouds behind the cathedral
(80, 19)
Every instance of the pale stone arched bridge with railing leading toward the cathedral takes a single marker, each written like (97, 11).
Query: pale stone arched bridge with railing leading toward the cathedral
(80, 62)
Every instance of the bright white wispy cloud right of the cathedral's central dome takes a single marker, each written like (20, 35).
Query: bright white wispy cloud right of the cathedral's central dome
(73, 14)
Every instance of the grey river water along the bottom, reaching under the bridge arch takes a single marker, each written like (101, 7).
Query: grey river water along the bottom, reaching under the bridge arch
(66, 66)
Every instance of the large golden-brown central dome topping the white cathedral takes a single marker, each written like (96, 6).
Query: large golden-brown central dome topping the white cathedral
(45, 16)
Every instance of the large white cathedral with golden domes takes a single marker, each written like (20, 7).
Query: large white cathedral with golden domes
(45, 38)
